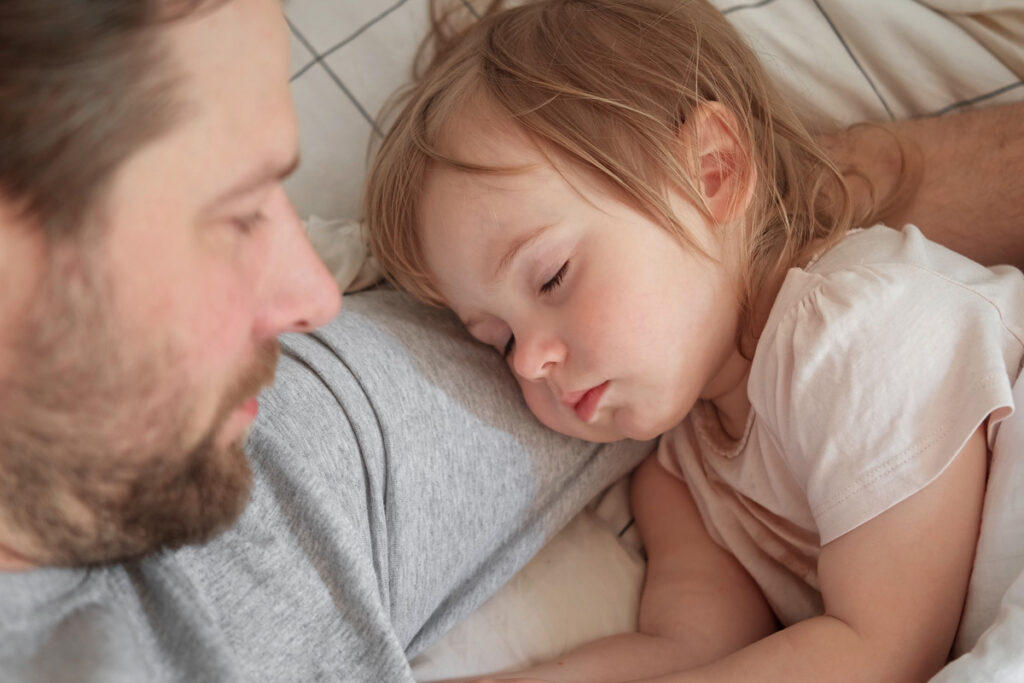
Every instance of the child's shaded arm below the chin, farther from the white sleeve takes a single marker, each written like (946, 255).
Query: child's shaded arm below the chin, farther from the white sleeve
(699, 604)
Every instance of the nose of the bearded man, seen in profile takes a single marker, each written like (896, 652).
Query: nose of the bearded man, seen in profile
(300, 292)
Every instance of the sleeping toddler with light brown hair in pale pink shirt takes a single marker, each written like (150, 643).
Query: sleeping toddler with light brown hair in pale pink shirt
(613, 195)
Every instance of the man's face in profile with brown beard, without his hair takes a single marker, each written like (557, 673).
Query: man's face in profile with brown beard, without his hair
(129, 375)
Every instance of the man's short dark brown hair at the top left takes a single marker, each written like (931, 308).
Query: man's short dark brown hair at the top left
(83, 83)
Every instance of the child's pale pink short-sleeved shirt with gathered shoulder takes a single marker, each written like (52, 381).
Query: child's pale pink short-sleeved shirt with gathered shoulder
(877, 364)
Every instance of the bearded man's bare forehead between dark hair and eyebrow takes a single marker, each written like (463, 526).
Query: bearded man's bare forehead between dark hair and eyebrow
(238, 121)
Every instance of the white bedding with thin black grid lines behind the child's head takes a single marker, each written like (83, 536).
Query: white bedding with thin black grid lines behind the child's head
(842, 62)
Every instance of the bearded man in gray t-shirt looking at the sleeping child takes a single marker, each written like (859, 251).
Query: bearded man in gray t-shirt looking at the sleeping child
(149, 263)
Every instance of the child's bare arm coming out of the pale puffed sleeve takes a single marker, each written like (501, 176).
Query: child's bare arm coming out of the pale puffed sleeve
(893, 591)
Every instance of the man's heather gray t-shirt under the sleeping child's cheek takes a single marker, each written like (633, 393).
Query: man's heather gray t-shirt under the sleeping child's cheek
(399, 482)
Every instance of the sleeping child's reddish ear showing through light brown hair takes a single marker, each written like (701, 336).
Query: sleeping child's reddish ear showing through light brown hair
(726, 173)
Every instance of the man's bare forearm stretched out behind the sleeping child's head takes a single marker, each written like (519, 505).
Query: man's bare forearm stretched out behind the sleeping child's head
(971, 197)
